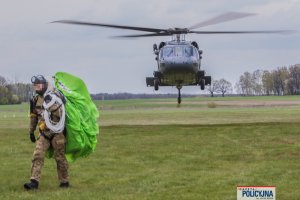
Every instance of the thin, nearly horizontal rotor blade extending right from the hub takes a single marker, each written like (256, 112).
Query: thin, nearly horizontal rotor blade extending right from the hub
(244, 32)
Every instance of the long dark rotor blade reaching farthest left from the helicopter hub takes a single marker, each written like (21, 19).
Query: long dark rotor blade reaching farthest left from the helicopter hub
(154, 30)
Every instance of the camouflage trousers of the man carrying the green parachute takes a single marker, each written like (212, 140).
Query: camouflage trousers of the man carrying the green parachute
(58, 145)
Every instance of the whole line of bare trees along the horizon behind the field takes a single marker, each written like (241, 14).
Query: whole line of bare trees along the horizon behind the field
(281, 81)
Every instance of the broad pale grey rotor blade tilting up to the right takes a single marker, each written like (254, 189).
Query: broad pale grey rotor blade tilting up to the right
(221, 18)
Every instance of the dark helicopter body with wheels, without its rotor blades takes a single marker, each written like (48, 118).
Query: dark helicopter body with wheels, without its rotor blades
(178, 64)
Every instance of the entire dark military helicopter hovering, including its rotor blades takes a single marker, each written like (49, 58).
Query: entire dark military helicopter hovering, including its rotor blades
(178, 60)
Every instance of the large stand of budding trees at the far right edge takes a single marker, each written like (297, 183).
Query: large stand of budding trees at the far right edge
(281, 81)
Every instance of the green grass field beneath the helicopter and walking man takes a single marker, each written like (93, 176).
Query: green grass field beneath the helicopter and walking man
(152, 149)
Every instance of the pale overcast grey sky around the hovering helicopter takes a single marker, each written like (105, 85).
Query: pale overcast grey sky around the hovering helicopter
(31, 45)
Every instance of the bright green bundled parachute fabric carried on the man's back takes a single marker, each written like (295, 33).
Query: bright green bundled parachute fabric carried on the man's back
(81, 116)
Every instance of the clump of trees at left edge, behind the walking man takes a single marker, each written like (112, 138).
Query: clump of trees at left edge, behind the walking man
(14, 93)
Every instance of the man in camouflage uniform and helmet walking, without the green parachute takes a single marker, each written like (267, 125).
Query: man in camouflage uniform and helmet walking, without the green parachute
(47, 137)
